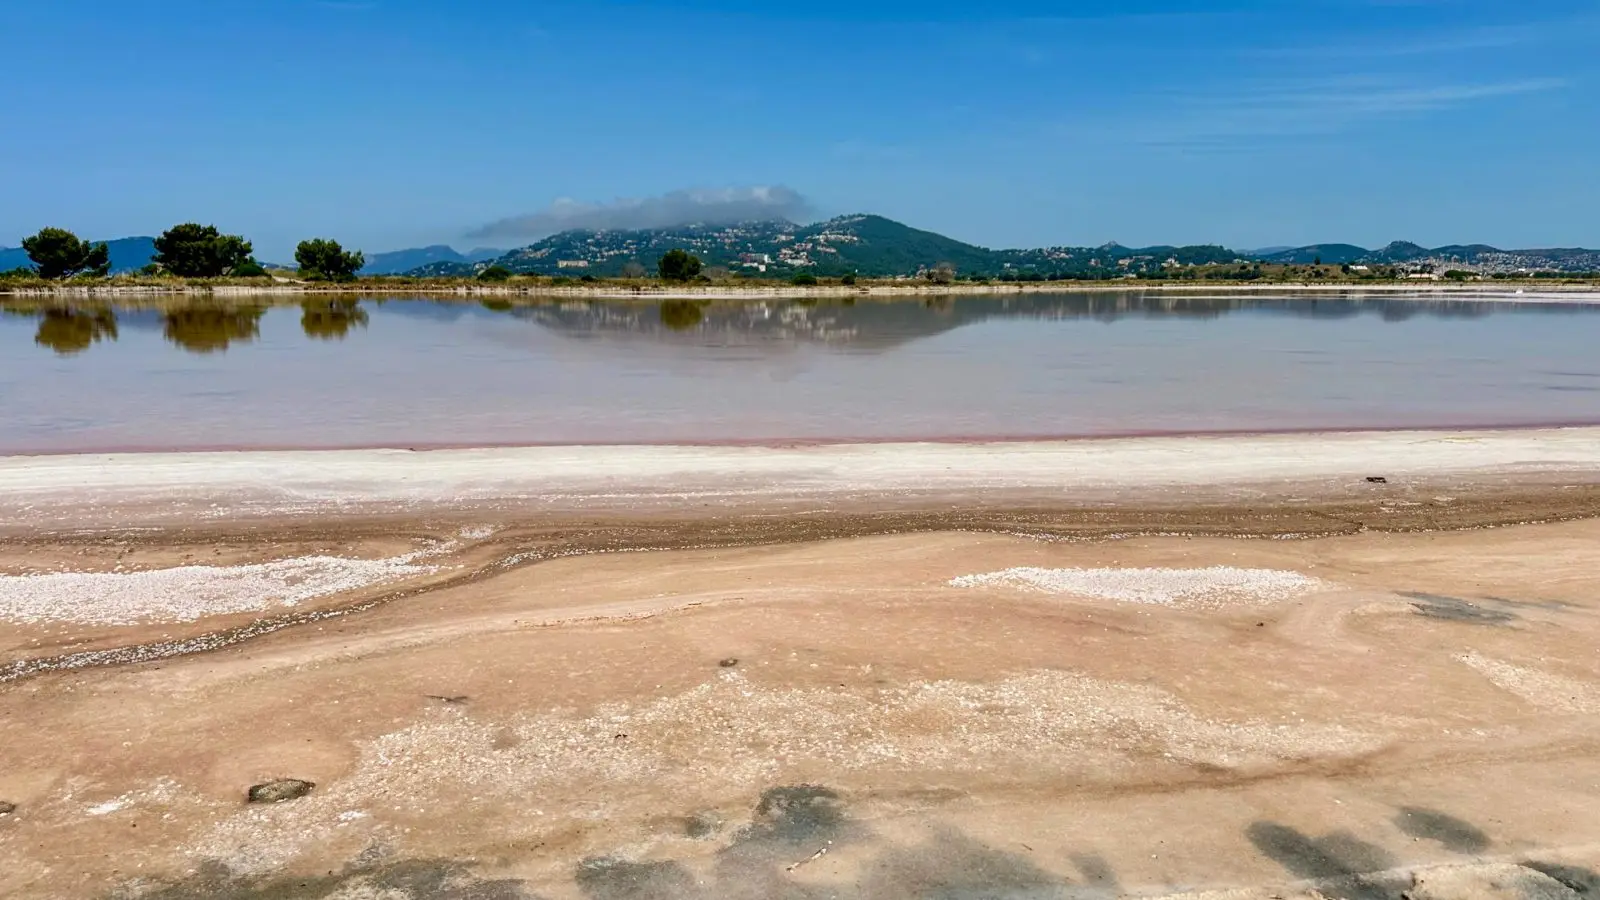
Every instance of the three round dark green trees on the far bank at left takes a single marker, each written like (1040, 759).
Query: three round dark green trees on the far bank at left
(188, 252)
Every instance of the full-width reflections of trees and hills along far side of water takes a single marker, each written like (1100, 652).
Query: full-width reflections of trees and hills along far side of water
(774, 324)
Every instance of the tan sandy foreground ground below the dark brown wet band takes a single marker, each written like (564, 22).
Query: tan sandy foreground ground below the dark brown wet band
(490, 713)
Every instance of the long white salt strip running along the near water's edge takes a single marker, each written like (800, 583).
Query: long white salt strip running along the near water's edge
(39, 489)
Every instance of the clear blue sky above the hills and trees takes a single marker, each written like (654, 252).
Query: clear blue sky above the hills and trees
(399, 123)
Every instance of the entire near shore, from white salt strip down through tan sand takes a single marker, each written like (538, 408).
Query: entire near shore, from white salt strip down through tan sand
(817, 672)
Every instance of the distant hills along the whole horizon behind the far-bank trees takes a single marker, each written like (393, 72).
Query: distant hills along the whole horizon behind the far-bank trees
(878, 247)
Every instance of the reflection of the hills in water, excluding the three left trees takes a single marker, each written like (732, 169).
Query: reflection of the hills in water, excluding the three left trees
(874, 326)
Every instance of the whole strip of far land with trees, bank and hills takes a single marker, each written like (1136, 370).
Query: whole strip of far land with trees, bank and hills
(842, 252)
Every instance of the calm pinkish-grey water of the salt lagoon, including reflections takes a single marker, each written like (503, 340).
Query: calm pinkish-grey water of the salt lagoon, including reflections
(458, 372)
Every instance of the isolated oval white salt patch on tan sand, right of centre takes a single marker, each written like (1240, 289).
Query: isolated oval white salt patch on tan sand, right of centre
(1191, 589)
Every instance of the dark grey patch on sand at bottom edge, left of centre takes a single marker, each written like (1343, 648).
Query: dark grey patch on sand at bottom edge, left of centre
(426, 880)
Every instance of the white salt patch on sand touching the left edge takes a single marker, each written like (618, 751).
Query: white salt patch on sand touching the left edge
(191, 592)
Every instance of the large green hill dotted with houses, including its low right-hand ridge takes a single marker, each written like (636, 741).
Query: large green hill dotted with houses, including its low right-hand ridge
(862, 244)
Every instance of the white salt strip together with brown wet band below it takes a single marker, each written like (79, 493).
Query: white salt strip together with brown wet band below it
(1420, 470)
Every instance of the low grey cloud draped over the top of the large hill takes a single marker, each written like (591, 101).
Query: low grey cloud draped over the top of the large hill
(722, 206)
